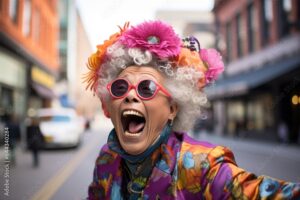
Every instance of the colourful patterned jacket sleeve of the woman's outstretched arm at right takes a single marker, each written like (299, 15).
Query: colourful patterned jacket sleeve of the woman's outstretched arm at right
(225, 180)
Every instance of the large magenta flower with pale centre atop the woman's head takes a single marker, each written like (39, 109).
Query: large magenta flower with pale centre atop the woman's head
(154, 36)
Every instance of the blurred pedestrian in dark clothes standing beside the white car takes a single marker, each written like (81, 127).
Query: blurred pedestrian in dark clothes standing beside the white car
(35, 140)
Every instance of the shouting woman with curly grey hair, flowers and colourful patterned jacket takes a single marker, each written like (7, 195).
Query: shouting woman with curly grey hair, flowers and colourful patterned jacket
(150, 83)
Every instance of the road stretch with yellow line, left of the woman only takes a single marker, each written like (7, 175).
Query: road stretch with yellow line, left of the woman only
(62, 174)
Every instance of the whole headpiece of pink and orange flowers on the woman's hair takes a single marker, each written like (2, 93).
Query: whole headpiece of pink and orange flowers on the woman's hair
(161, 40)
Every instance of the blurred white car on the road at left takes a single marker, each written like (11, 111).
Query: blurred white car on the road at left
(60, 127)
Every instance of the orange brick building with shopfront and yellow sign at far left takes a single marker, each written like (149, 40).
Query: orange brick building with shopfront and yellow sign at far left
(29, 60)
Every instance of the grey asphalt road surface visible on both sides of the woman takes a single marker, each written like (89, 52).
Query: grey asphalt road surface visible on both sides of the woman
(65, 174)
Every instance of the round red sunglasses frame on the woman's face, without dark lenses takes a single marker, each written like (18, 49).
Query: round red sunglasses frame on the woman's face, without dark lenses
(135, 87)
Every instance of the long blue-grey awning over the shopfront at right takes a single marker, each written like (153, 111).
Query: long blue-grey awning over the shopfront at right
(241, 83)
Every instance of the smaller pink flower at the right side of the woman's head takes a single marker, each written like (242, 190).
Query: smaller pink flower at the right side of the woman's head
(213, 61)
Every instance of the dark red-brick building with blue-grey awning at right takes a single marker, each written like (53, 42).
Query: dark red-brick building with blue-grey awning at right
(259, 92)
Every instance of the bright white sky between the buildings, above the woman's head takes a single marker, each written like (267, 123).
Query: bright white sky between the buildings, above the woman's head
(101, 17)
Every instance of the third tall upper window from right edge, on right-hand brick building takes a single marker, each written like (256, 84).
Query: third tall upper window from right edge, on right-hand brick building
(252, 28)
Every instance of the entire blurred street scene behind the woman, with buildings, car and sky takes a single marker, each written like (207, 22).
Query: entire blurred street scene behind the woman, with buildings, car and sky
(254, 108)
